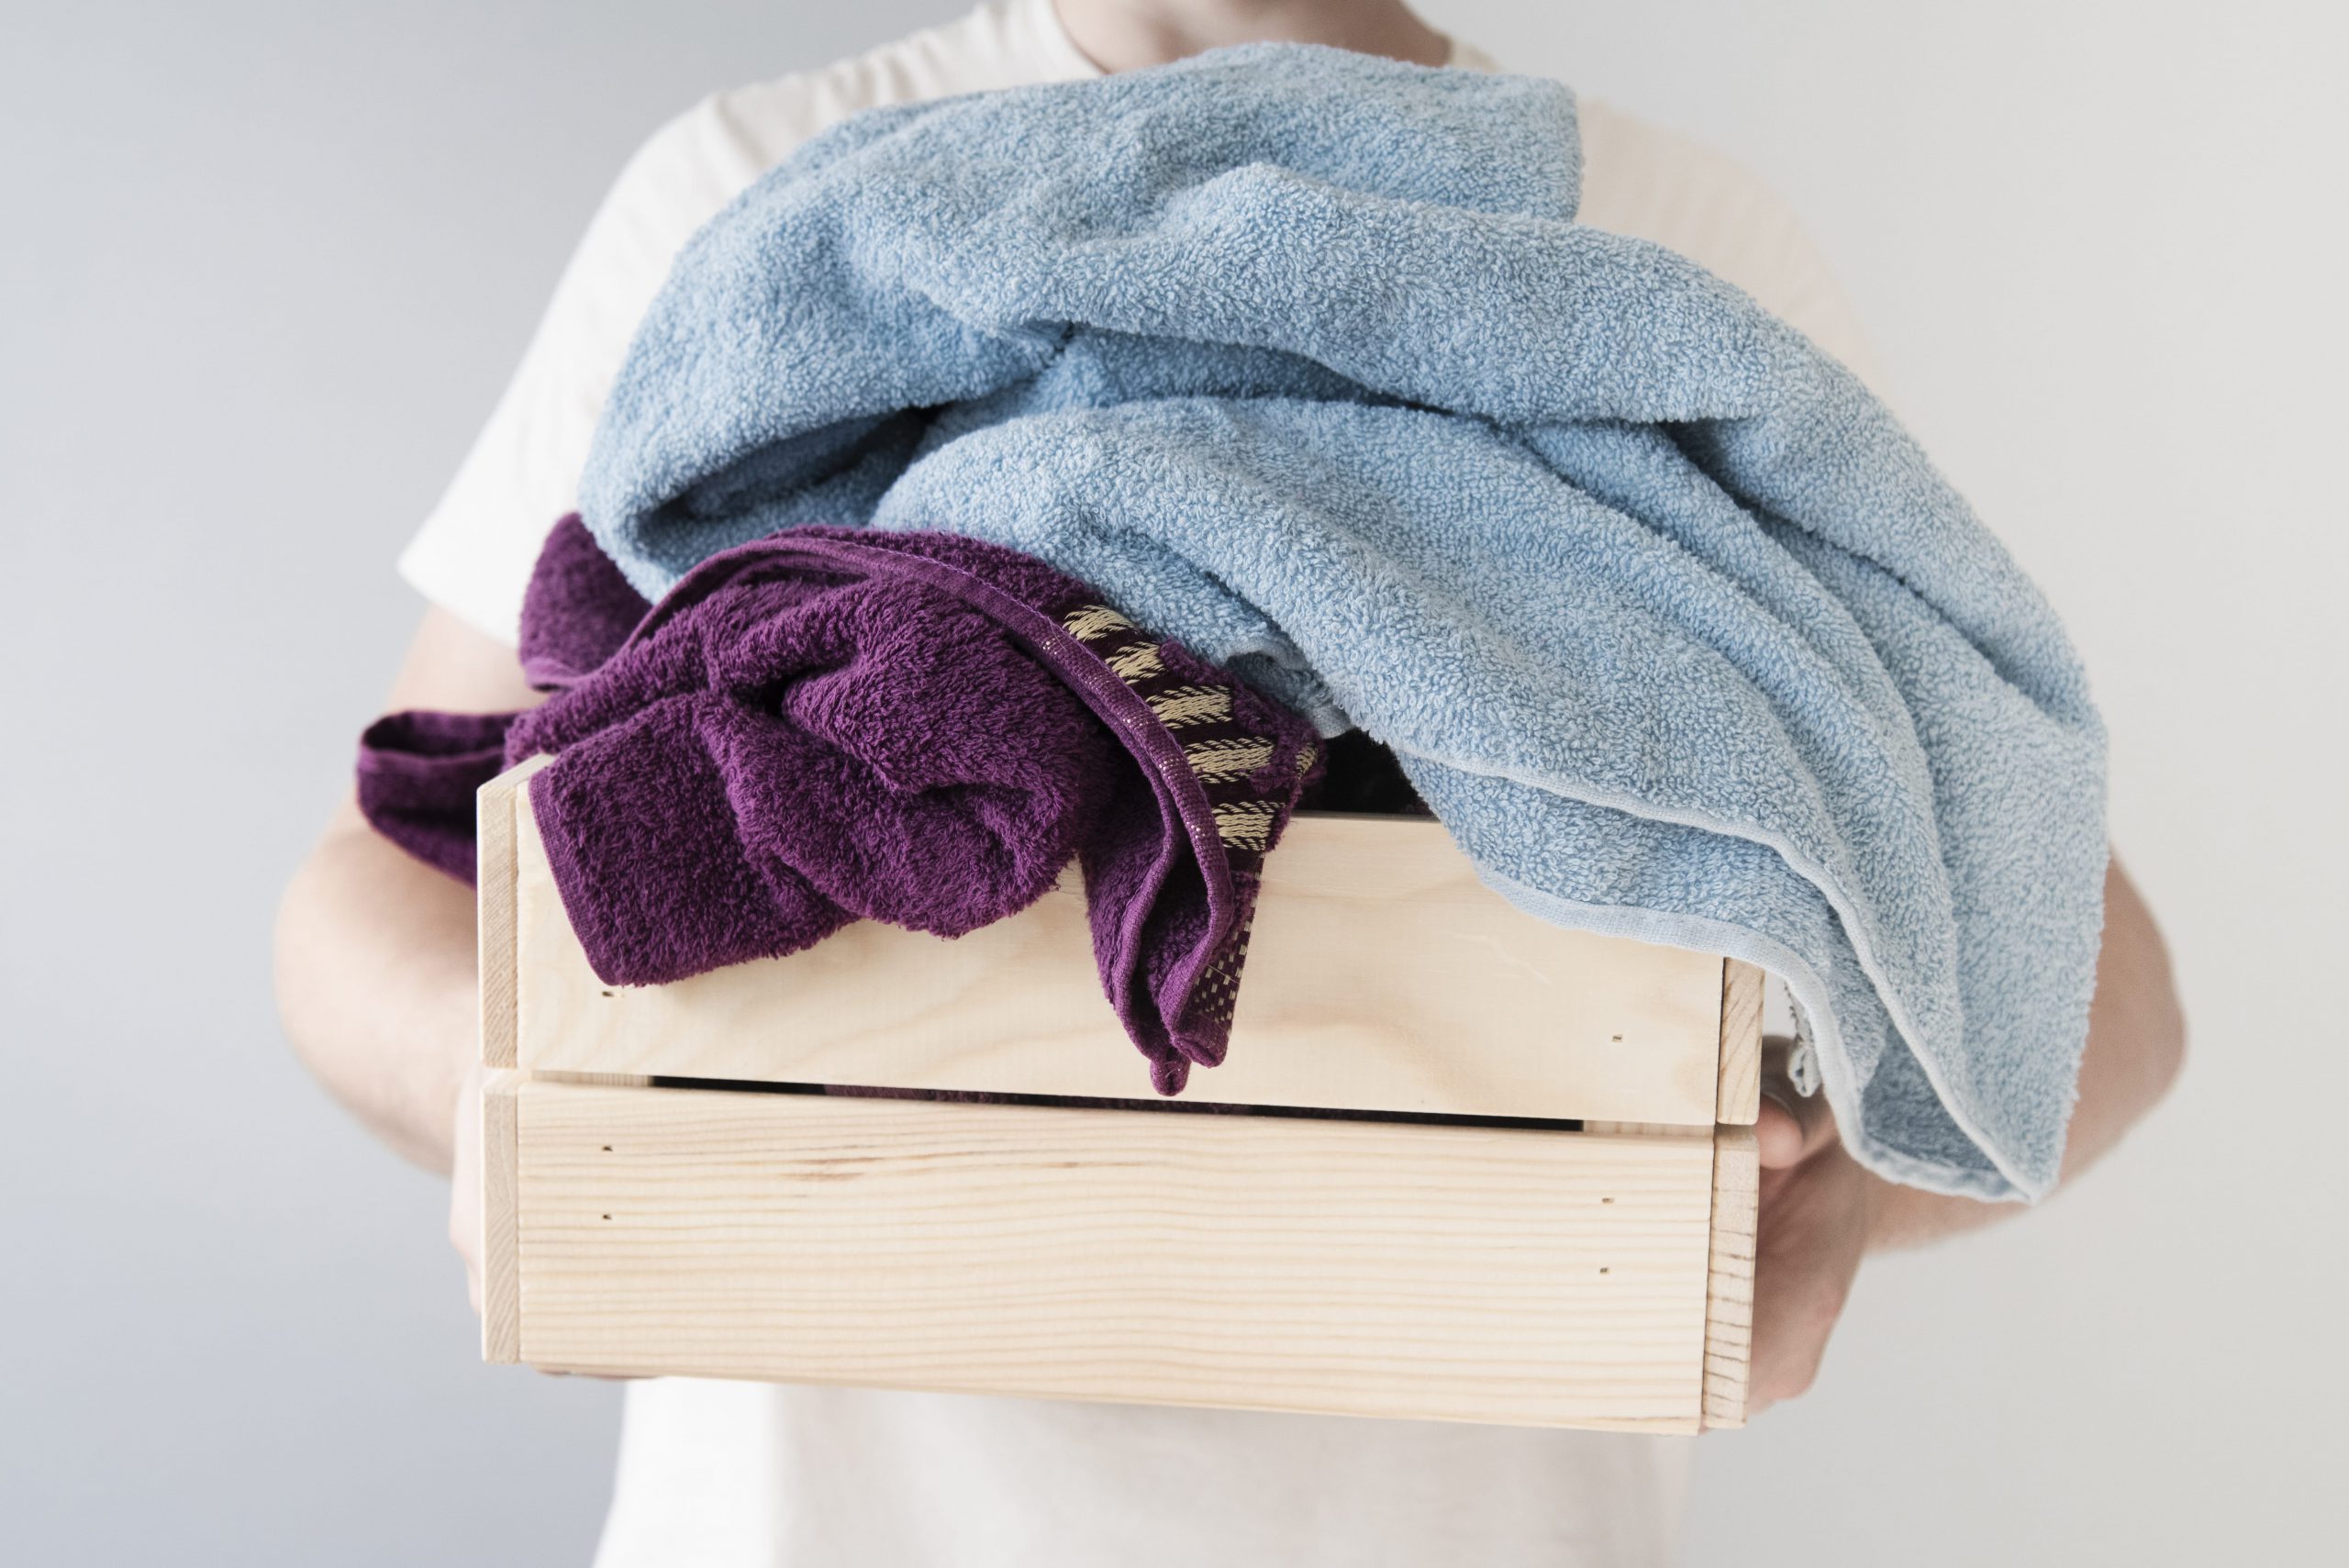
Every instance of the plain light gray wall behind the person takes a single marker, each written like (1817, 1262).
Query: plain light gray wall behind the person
(269, 264)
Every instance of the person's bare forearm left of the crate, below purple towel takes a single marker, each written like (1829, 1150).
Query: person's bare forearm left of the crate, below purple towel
(377, 985)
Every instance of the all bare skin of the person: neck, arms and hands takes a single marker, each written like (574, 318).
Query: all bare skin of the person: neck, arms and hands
(377, 952)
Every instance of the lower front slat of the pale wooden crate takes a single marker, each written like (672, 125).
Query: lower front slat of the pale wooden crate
(1248, 1262)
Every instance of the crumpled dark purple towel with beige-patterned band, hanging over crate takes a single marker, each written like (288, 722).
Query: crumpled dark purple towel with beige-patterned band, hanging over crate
(847, 726)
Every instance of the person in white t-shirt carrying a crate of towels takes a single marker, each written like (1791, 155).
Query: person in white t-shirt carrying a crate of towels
(377, 961)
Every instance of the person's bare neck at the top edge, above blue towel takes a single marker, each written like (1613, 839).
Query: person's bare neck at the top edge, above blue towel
(1136, 34)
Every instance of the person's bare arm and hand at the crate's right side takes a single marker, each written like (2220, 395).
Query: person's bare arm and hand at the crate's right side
(1822, 1212)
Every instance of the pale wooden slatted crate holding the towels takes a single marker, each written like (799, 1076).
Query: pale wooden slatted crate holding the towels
(1556, 1234)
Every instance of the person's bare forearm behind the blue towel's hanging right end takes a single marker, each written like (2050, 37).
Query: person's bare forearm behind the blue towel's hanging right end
(2136, 1046)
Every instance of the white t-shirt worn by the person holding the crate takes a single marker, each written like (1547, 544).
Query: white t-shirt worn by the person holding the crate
(755, 1475)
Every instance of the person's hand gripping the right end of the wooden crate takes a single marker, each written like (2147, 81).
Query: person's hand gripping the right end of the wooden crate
(1817, 1219)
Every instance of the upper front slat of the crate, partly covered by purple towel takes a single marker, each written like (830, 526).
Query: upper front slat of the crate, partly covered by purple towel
(1382, 978)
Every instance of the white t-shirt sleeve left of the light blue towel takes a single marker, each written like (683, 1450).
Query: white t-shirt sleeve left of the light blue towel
(476, 550)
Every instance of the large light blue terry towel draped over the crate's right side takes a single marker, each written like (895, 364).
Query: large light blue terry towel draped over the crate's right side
(1303, 358)
